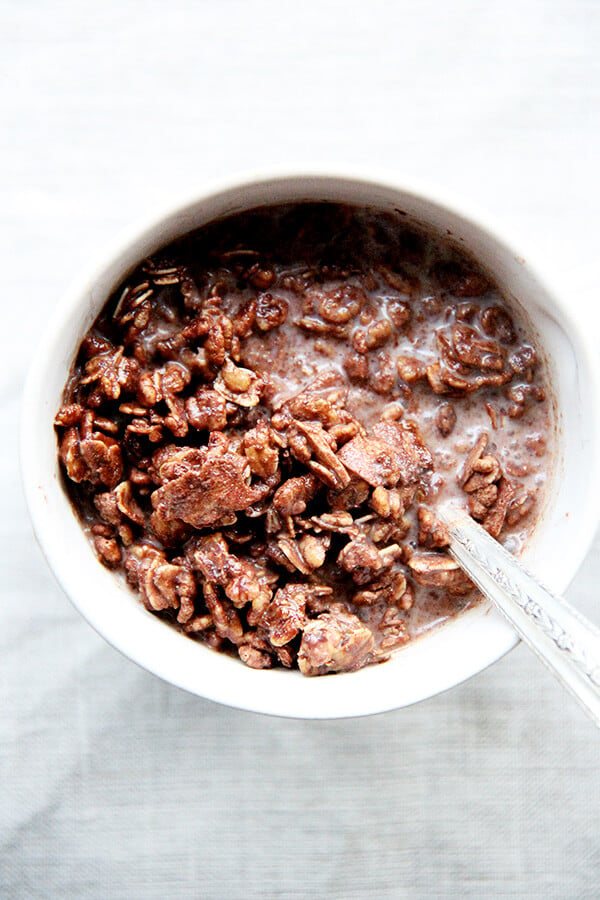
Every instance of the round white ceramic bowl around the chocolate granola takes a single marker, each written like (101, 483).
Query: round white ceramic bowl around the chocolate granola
(431, 664)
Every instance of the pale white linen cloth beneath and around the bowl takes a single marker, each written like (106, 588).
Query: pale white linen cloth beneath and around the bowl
(113, 783)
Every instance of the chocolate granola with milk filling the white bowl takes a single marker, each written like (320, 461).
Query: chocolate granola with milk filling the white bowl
(257, 433)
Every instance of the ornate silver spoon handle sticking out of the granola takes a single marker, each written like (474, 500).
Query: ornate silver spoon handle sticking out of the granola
(562, 638)
